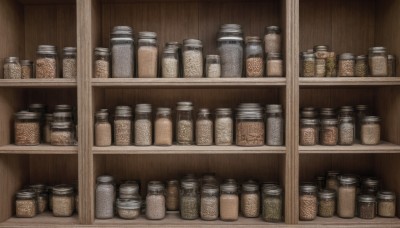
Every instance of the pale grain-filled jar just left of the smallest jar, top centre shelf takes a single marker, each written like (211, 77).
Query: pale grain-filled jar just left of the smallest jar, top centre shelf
(192, 58)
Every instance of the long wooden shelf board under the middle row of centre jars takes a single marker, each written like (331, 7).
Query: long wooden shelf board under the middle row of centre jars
(175, 149)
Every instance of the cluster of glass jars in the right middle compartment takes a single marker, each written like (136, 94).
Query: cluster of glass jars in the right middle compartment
(340, 126)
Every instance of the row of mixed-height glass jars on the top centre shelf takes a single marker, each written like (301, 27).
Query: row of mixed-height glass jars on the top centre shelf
(186, 60)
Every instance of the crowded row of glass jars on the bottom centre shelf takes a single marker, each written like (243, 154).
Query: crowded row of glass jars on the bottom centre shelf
(194, 198)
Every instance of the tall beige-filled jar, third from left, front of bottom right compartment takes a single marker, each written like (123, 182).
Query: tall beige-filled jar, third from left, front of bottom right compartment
(347, 192)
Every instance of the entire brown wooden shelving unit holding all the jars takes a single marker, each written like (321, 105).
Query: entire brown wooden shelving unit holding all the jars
(344, 25)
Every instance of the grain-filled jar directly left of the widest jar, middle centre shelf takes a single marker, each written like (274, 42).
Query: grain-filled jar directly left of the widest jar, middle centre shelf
(223, 127)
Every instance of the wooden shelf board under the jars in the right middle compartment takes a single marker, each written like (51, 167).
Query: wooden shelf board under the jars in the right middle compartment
(383, 147)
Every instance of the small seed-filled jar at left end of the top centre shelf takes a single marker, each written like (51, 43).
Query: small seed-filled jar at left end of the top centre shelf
(101, 62)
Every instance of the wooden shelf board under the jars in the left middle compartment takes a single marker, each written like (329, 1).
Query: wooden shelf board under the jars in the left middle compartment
(39, 149)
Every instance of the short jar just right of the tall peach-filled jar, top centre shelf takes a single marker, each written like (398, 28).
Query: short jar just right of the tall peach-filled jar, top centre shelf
(170, 63)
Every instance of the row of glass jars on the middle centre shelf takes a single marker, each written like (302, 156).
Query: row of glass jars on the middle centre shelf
(253, 127)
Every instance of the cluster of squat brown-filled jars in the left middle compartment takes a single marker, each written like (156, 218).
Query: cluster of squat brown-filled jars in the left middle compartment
(36, 126)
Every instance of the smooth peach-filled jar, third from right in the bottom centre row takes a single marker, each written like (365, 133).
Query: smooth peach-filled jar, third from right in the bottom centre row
(229, 202)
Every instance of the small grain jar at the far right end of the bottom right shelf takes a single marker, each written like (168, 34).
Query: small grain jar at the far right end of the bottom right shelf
(386, 204)
